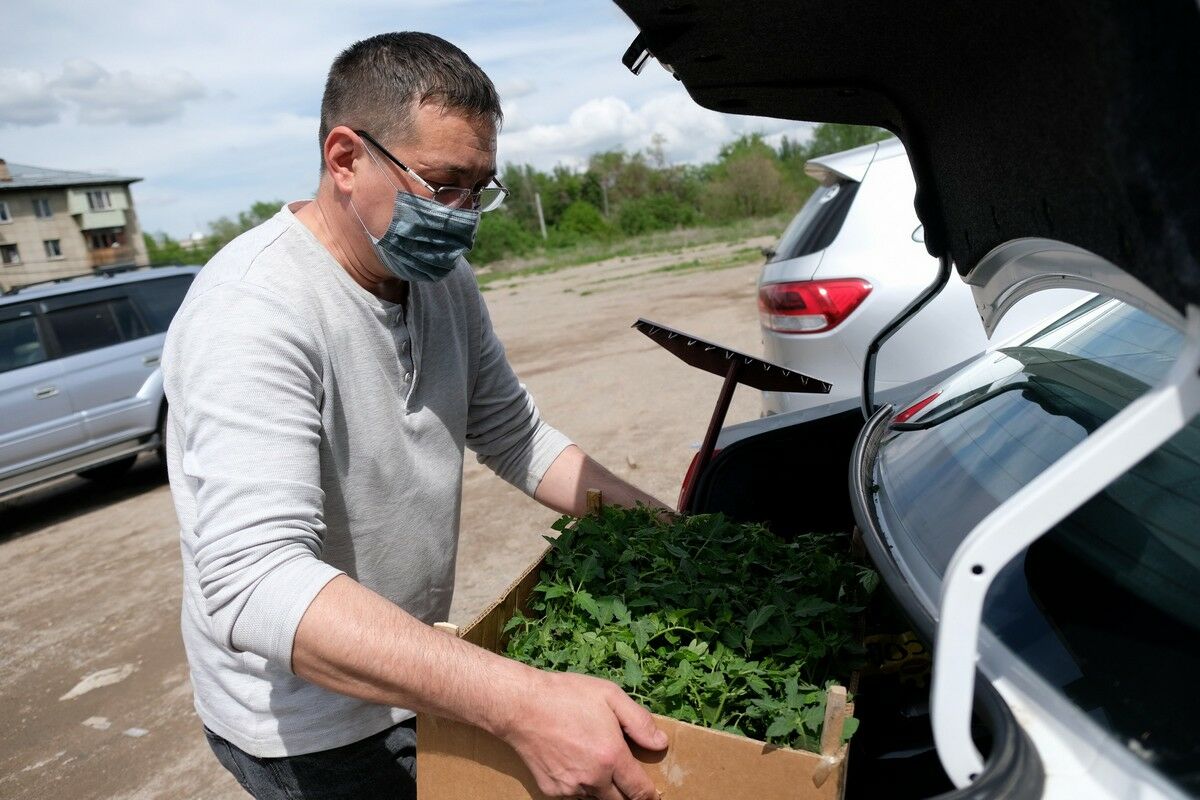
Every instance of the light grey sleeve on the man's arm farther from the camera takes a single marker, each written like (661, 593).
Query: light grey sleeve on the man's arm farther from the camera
(505, 428)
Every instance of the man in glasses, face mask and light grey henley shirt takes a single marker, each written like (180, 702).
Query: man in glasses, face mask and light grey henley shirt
(325, 374)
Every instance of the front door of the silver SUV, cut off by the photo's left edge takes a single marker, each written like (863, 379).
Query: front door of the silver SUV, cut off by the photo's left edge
(38, 423)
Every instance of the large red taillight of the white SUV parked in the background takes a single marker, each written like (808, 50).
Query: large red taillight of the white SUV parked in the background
(811, 306)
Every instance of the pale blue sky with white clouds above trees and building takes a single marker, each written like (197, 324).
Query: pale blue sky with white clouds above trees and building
(215, 105)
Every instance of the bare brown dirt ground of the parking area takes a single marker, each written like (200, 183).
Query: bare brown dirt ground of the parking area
(91, 576)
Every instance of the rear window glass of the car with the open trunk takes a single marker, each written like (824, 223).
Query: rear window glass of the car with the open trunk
(1107, 605)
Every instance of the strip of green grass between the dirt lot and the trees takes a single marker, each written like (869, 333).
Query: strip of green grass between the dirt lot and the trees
(671, 242)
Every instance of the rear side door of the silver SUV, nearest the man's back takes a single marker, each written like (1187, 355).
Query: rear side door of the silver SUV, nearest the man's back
(109, 359)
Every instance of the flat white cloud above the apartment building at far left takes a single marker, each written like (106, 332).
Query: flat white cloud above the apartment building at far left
(29, 98)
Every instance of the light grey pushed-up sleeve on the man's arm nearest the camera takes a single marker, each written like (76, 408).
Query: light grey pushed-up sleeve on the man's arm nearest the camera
(244, 384)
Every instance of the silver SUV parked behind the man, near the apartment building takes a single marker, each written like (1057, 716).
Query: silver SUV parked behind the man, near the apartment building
(81, 388)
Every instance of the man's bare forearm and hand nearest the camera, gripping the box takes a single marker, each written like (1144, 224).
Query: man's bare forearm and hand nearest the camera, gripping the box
(571, 730)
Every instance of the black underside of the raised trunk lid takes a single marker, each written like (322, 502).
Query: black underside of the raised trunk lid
(1058, 119)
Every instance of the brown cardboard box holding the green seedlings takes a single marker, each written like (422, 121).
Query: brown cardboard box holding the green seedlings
(460, 762)
